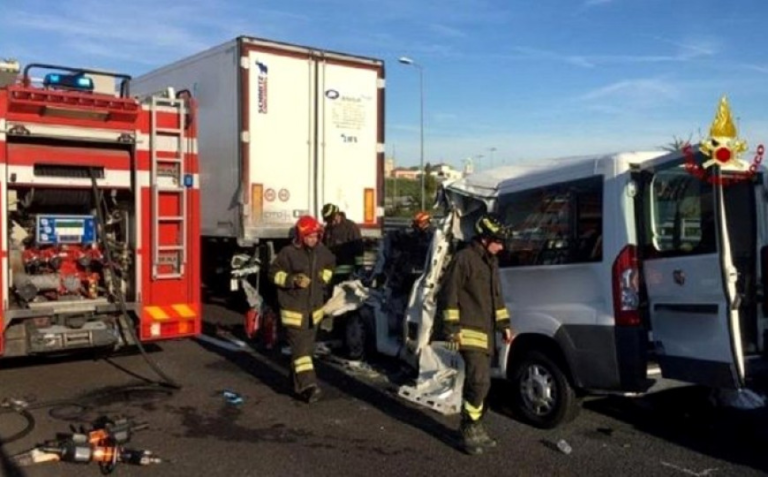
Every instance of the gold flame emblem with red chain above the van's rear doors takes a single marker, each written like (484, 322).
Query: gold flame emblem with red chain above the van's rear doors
(722, 148)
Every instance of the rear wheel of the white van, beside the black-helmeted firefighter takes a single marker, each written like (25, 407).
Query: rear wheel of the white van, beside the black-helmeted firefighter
(541, 392)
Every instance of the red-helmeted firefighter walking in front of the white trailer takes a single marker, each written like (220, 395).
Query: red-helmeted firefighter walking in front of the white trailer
(301, 272)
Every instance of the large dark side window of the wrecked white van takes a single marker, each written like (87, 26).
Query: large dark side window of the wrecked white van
(557, 224)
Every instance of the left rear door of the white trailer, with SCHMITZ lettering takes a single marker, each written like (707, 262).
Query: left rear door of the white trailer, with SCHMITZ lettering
(279, 143)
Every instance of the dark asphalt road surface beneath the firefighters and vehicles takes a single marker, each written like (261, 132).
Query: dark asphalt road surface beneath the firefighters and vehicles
(358, 428)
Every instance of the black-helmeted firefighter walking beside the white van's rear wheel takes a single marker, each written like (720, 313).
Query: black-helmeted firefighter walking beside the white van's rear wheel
(473, 310)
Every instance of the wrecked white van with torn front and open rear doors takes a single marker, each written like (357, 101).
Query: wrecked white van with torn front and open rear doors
(617, 264)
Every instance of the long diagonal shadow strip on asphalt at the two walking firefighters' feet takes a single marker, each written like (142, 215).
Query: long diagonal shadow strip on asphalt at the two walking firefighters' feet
(262, 365)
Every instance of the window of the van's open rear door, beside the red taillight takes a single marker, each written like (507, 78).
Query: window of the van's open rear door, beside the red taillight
(680, 214)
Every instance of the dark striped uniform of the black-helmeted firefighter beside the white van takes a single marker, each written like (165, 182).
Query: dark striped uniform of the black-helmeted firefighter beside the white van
(473, 309)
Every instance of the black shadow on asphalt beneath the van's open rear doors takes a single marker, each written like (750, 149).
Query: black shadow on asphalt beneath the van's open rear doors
(685, 417)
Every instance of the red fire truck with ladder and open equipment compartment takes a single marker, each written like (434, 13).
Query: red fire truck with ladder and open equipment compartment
(99, 197)
